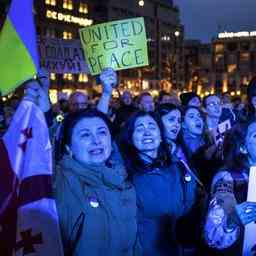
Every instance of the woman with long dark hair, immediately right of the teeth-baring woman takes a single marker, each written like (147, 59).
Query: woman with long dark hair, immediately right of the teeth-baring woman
(171, 120)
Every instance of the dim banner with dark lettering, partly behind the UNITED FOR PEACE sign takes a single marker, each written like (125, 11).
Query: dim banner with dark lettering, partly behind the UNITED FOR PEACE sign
(62, 56)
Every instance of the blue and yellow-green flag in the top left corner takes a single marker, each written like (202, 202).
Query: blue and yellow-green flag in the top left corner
(18, 49)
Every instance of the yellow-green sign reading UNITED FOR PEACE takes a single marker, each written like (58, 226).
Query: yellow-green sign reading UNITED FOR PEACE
(119, 44)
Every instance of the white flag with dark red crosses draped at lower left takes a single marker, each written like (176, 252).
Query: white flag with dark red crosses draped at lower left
(26, 185)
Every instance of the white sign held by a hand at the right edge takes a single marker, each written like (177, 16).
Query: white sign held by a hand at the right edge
(250, 229)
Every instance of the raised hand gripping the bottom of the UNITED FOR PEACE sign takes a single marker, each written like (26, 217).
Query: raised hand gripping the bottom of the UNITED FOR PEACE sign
(108, 78)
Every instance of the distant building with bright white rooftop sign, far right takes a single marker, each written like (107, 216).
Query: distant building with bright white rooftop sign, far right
(234, 61)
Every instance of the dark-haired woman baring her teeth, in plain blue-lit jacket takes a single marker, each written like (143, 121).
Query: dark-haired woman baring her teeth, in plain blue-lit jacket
(159, 189)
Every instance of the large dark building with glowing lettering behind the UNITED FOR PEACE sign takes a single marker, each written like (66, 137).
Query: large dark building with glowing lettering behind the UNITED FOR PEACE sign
(64, 18)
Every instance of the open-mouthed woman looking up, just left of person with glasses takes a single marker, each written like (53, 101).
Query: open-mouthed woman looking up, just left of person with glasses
(201, 151)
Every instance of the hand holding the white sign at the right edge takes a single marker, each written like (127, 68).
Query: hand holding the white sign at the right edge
(246, 212)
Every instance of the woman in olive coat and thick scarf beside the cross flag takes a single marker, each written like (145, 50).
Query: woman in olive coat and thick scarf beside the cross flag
(95, 202)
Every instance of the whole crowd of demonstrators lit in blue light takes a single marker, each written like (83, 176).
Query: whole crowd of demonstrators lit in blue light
(144, 176)
